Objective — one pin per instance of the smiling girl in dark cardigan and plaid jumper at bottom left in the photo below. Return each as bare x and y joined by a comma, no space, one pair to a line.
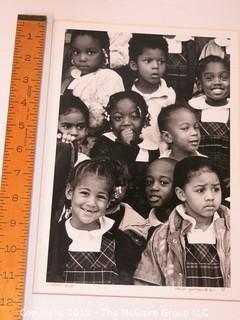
88,247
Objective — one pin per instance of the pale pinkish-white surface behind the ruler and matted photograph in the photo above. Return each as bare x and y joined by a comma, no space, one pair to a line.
210,14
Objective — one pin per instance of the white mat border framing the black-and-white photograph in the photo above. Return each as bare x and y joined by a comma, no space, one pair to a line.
41,255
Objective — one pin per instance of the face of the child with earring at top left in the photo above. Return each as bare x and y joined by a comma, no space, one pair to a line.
87,54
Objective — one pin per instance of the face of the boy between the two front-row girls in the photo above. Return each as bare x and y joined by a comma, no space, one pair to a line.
159,183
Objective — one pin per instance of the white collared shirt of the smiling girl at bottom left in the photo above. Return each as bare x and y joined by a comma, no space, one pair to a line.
83,240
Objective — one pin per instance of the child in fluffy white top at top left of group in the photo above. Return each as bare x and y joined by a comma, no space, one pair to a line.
88,78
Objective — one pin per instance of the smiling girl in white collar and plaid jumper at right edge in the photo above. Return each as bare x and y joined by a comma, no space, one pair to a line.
213,106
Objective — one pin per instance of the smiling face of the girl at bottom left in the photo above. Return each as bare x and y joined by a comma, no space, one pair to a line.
89,201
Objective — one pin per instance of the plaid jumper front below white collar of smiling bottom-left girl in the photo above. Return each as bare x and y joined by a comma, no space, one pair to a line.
92,267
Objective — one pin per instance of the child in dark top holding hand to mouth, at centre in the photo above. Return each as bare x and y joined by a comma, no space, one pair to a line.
127,114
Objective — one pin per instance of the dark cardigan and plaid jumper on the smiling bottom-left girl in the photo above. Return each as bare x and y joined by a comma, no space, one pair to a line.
114,264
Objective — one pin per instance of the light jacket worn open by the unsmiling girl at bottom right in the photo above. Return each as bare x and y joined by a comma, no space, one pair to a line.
163,262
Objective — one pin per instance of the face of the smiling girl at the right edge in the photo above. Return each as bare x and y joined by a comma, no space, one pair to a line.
215,82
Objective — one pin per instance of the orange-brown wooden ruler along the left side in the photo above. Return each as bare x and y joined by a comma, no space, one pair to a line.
18,162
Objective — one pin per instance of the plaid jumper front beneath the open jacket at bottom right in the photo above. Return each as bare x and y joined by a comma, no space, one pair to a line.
203,266
